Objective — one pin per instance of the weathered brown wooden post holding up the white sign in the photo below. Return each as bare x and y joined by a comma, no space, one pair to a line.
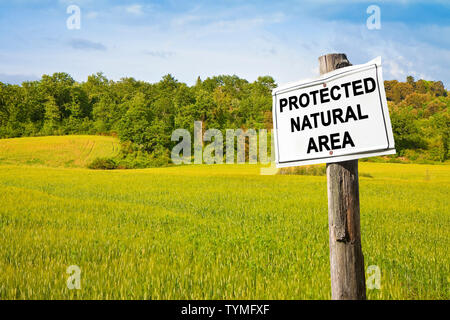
346,257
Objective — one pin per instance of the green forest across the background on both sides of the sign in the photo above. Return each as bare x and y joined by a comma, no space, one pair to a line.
144,115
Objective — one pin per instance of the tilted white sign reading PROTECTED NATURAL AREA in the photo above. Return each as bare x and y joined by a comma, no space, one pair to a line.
342,115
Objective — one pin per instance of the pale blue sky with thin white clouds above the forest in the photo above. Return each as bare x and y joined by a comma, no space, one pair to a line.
148,39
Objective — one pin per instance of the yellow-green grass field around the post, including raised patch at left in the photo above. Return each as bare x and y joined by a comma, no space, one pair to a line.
207,232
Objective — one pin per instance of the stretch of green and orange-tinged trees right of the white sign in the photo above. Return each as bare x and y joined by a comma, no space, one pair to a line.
420,119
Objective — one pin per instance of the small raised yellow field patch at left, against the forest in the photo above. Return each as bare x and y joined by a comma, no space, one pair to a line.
57,151
